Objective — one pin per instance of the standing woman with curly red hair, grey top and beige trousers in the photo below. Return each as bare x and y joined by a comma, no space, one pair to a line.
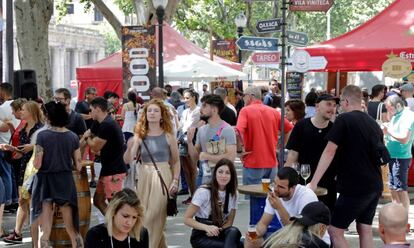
155,130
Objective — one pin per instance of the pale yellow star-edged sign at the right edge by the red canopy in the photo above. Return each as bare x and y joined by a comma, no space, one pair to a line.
396,67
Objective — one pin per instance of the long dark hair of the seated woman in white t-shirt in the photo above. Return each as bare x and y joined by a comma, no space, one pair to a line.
231,187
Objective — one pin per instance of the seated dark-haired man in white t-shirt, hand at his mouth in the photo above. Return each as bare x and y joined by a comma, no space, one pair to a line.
287,199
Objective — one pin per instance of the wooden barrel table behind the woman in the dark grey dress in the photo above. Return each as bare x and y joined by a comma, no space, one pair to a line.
59,236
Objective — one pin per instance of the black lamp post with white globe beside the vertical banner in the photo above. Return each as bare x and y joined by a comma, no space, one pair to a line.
160,5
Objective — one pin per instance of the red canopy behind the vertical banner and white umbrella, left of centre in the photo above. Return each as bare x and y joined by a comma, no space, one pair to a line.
106,74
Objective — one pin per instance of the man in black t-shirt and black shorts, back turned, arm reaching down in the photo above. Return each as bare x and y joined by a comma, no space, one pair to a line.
359,180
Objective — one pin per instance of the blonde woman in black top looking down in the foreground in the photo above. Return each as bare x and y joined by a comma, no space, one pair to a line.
123,224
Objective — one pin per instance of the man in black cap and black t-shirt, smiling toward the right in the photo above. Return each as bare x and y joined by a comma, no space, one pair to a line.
308,140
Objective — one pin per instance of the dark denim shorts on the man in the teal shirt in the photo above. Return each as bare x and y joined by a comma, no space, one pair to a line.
399,173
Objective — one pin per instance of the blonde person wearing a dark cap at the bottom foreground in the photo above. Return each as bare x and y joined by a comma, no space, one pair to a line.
305,230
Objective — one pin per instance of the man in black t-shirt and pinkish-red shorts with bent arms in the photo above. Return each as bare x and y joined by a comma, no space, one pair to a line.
109,141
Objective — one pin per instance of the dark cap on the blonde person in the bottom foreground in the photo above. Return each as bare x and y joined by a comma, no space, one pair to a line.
313,213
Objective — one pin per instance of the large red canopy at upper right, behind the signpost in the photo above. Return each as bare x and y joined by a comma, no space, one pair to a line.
366,47
